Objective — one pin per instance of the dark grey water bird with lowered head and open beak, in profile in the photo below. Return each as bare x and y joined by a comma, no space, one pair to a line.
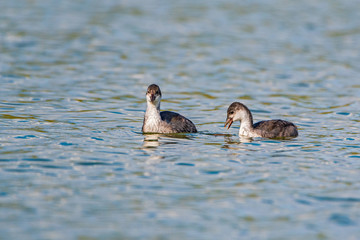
269,129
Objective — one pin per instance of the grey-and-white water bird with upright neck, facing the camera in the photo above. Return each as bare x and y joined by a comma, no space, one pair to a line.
166,121
